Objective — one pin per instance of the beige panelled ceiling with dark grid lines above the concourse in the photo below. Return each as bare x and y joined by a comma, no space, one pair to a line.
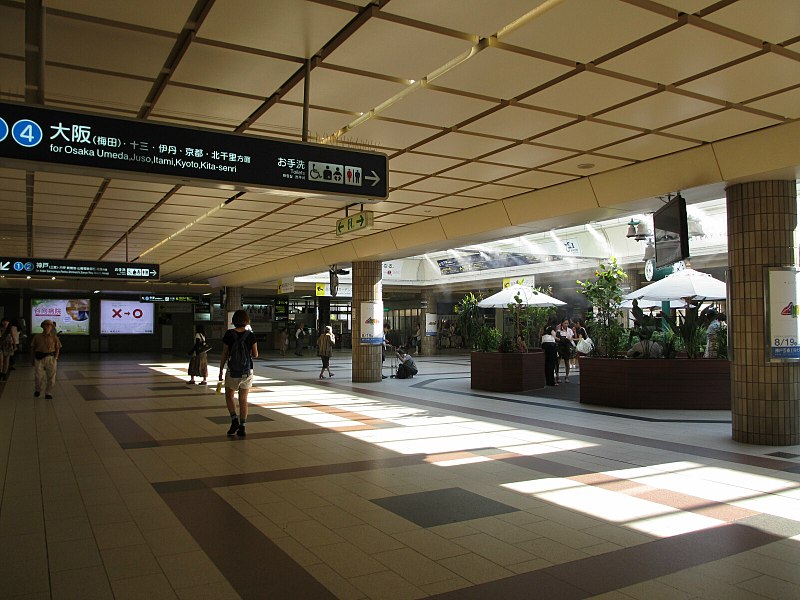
576,111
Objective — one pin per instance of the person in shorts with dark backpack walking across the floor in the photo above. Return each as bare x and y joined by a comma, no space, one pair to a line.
239,348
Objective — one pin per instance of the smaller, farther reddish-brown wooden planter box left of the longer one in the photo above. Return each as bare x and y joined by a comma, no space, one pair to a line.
507,371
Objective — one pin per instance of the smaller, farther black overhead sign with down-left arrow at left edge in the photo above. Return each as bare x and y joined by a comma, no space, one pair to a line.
61,267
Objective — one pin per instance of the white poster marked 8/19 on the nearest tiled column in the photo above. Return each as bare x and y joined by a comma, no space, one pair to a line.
781,315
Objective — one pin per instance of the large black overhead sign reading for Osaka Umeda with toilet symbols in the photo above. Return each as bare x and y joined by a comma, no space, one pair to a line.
57,140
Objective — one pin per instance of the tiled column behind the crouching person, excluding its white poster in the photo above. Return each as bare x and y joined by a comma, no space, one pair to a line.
366,287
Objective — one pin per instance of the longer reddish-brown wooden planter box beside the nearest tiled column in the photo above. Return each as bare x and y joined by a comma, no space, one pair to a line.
678,383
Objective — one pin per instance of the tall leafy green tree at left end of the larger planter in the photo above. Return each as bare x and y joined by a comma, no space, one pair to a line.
606,294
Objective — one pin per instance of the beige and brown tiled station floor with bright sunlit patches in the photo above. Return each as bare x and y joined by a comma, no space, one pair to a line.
126,486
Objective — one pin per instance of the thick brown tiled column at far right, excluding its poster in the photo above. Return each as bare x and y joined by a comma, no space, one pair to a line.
765,403
